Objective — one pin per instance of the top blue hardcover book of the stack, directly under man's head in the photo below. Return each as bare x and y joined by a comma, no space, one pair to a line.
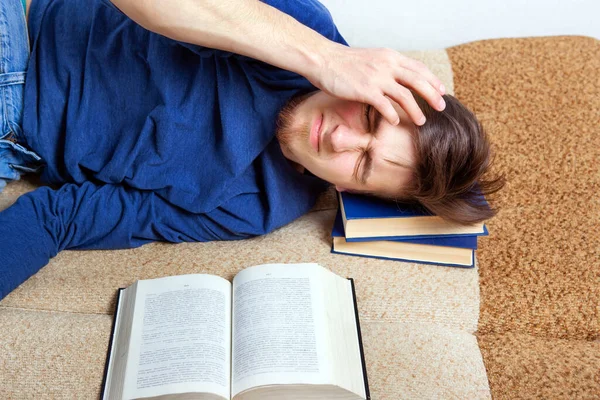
377,219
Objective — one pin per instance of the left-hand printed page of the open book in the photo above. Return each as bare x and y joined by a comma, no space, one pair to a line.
181,337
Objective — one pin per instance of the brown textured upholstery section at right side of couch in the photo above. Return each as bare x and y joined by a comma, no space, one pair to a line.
539,99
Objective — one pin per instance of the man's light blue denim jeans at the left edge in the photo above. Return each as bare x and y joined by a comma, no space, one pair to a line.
15,158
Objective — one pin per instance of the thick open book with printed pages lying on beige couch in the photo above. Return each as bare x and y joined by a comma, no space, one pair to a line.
280,331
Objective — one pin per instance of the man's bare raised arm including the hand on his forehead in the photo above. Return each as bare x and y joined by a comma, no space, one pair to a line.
257,30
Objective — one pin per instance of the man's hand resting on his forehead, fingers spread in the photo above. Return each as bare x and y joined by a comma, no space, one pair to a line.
368,75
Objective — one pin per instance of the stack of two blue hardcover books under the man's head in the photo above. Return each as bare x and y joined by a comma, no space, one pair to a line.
370,227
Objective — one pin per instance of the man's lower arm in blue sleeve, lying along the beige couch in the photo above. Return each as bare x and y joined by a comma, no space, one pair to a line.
45,221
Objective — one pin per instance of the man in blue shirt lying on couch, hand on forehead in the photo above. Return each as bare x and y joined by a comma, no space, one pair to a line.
156,121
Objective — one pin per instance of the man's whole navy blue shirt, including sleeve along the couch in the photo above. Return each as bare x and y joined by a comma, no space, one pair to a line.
148,138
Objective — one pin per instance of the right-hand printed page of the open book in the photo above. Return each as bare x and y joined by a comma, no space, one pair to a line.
278,327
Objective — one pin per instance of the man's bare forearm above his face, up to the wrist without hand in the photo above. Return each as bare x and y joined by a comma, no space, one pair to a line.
246,27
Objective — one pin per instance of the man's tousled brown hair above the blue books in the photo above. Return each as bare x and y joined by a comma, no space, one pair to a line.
452,154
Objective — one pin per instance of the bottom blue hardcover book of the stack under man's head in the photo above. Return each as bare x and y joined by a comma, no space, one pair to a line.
413,250
